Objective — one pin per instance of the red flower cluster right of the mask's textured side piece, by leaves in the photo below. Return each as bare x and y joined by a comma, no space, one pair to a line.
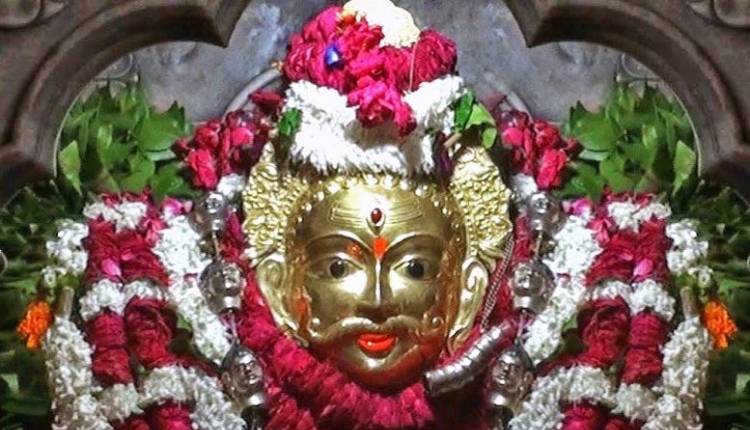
538,149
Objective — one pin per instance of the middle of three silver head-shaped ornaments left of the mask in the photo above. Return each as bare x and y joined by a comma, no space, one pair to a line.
222,283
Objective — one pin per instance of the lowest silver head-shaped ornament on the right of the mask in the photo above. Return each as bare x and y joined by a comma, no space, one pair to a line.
511,376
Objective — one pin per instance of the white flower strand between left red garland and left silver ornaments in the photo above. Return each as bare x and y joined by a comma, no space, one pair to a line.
178,248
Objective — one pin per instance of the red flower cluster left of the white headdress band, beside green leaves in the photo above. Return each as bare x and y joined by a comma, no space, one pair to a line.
231,145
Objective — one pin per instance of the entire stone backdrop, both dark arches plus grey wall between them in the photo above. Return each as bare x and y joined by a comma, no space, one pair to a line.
50,49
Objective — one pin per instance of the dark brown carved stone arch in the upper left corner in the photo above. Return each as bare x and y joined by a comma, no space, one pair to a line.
99,33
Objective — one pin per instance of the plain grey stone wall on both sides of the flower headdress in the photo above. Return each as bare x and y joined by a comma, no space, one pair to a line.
493,57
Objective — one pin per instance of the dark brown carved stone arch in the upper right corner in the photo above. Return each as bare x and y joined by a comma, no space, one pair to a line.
691,53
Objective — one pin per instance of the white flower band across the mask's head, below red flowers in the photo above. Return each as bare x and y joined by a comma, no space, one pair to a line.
332,140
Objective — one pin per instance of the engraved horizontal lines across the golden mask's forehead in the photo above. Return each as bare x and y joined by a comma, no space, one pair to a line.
398,212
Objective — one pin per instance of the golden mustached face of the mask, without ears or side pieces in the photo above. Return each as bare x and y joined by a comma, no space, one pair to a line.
376,276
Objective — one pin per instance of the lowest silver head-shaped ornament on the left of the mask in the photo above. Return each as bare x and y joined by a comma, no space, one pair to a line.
242,377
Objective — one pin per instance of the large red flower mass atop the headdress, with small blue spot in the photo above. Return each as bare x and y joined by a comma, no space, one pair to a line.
341,52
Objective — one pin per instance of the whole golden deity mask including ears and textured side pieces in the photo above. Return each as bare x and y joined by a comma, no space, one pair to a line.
377,273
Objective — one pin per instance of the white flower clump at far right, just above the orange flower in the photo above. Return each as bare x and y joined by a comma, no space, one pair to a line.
687,251
